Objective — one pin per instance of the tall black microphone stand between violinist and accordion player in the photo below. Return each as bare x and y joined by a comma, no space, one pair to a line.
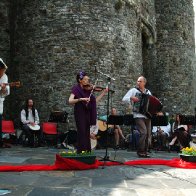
106,157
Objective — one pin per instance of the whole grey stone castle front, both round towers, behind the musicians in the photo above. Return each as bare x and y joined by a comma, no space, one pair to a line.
50,41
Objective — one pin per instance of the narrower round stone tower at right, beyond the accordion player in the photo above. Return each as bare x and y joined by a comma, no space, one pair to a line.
175,52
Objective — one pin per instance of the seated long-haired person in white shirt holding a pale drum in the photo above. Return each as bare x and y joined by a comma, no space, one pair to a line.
30,122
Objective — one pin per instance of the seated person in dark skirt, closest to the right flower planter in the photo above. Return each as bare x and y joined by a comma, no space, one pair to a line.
180,133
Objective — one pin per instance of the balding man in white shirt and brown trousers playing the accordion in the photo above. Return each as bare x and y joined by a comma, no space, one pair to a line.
142,122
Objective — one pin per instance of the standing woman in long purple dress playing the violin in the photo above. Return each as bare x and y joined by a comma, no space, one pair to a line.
84,111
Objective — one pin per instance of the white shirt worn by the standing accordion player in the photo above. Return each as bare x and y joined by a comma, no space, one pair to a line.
134,92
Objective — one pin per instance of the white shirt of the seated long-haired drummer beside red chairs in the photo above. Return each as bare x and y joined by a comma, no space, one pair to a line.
30,117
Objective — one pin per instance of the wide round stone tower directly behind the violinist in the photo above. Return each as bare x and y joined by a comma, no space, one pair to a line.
56,39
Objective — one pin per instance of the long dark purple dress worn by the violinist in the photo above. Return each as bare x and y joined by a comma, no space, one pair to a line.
85,115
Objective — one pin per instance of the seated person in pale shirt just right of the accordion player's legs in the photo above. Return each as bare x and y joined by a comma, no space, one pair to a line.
162,133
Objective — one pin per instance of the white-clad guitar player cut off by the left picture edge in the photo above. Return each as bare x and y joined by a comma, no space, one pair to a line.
4,91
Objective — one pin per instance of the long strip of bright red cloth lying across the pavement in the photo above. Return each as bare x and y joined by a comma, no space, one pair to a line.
70,164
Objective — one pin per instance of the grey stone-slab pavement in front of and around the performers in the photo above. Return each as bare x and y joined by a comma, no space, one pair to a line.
111,181
